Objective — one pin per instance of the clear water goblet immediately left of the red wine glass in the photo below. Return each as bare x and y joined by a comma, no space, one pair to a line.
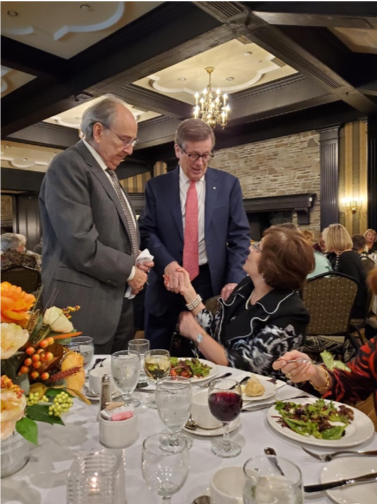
173,399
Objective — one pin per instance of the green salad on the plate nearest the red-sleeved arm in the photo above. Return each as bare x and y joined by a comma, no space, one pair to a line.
322,419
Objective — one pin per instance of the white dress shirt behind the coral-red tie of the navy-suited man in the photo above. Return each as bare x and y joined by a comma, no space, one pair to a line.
184,184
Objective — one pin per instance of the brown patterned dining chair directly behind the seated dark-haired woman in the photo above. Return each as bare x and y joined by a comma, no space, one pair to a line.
329,299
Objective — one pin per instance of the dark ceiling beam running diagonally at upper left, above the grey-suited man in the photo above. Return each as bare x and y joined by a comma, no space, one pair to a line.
154,41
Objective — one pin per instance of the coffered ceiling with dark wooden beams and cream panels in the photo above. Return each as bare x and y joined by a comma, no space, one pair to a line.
286,67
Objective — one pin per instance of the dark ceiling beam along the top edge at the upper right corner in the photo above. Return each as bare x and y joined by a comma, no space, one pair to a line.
327,14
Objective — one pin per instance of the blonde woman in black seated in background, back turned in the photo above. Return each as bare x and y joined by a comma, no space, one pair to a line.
344,260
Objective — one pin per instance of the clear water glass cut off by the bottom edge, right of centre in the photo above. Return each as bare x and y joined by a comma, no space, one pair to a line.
265,483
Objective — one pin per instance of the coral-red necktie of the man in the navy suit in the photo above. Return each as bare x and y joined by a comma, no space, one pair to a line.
191,242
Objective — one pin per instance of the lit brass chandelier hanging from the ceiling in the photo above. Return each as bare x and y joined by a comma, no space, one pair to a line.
211,108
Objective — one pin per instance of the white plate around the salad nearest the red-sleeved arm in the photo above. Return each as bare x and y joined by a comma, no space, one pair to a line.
359,430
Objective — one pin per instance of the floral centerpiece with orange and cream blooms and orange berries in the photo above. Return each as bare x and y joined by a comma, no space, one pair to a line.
38,376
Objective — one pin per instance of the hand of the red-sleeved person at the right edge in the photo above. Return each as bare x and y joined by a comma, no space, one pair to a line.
298,371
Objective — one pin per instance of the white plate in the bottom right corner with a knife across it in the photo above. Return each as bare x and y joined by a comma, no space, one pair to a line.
347,467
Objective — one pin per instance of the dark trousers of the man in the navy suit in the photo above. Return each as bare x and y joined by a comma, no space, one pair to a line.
159,329
